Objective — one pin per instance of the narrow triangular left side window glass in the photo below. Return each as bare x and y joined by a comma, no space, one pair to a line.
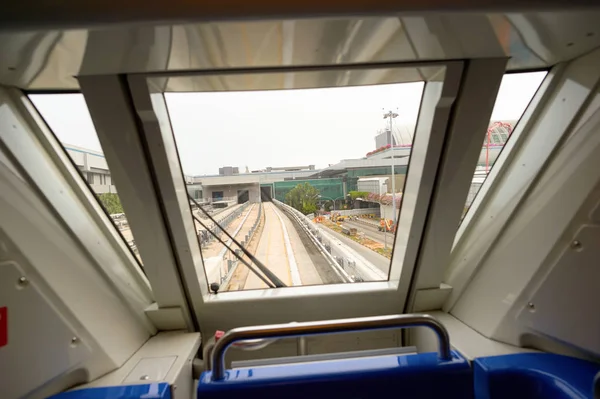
75,131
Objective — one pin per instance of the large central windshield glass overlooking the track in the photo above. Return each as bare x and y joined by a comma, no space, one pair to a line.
301,178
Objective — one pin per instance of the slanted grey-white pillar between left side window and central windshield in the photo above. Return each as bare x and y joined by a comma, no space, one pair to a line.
111,108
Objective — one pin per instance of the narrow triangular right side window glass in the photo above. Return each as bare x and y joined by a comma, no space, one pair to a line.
516,91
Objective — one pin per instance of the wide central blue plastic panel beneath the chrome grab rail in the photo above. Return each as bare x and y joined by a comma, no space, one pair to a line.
407,376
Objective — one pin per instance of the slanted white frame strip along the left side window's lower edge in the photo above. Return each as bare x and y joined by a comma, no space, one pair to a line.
47,167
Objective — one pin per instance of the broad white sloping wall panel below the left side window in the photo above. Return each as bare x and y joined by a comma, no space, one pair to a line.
70,282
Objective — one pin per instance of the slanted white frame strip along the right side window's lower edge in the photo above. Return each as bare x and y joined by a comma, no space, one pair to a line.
485,219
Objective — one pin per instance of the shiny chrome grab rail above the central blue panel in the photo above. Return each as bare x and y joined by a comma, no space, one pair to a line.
326,327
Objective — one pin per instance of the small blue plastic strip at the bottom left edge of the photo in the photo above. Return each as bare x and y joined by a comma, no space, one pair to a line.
158,390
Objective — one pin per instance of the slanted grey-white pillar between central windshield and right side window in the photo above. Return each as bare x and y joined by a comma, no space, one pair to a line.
470,118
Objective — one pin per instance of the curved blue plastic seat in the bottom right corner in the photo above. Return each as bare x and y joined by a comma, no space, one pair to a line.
533,375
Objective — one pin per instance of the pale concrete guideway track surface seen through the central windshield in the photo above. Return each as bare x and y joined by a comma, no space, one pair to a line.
272,251
